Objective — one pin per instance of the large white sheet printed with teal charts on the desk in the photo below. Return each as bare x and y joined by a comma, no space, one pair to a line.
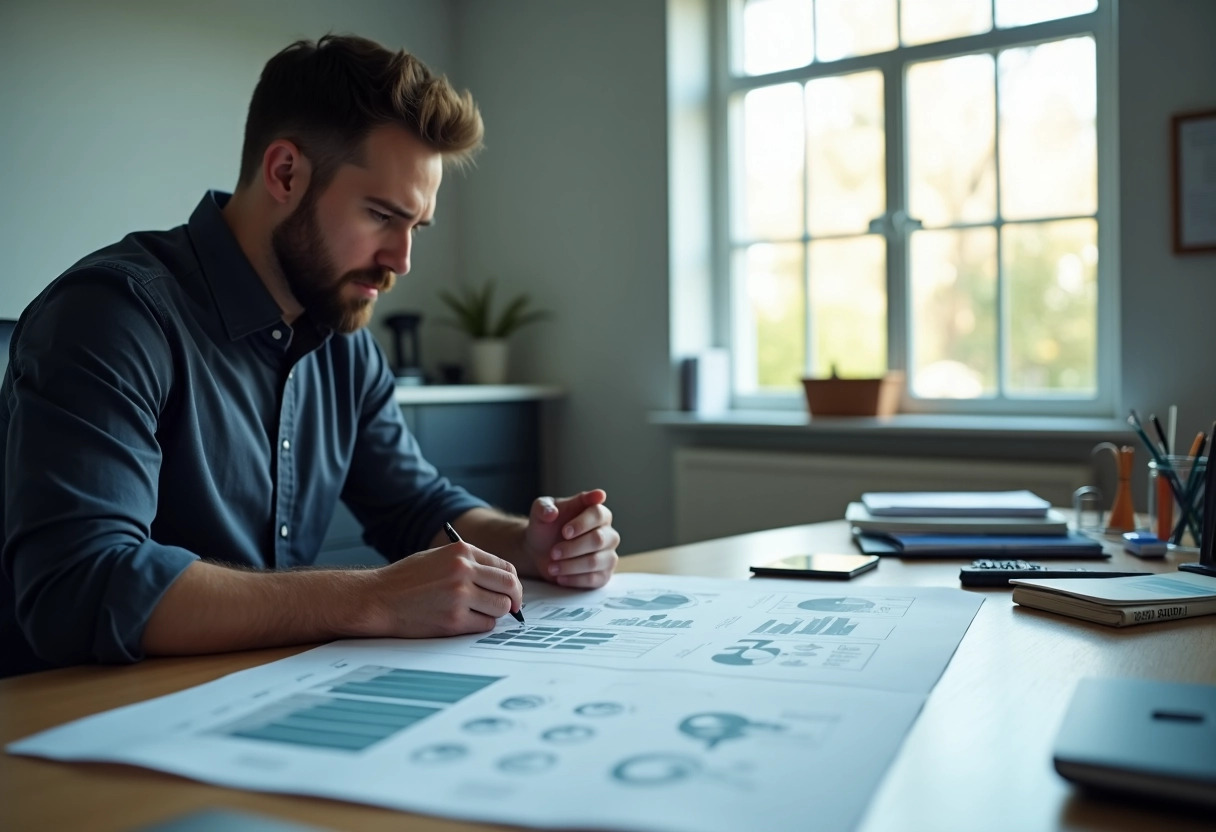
658,704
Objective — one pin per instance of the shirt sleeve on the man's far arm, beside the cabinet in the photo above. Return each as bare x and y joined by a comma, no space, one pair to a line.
401,499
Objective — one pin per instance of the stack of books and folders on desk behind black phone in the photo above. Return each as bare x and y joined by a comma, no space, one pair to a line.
1012,525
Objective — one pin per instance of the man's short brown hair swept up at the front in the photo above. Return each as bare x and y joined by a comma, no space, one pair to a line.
326,97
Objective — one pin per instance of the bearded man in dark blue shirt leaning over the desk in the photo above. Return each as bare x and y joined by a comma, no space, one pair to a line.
184,409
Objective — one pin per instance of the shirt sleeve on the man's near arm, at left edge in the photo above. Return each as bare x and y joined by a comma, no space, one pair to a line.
91,376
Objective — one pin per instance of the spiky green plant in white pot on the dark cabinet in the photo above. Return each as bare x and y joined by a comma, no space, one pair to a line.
472,310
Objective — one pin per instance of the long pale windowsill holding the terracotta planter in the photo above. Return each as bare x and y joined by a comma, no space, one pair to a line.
796,423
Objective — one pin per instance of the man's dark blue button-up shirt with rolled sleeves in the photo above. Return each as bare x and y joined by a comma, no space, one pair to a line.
156,411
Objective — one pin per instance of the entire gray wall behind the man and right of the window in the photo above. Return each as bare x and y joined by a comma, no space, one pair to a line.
121,117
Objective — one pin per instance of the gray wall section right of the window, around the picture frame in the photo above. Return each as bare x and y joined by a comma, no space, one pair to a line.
1167,66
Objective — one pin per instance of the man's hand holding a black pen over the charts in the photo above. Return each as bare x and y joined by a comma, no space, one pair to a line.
451,591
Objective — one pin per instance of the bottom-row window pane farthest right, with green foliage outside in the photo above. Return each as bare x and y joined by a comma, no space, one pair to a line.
1052,276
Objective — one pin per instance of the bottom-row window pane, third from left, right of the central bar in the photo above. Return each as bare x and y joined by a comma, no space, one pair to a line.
954,314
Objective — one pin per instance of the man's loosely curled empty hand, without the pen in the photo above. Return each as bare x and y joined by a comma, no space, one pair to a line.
572,542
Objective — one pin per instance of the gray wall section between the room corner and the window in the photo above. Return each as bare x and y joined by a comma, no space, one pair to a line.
570,200
